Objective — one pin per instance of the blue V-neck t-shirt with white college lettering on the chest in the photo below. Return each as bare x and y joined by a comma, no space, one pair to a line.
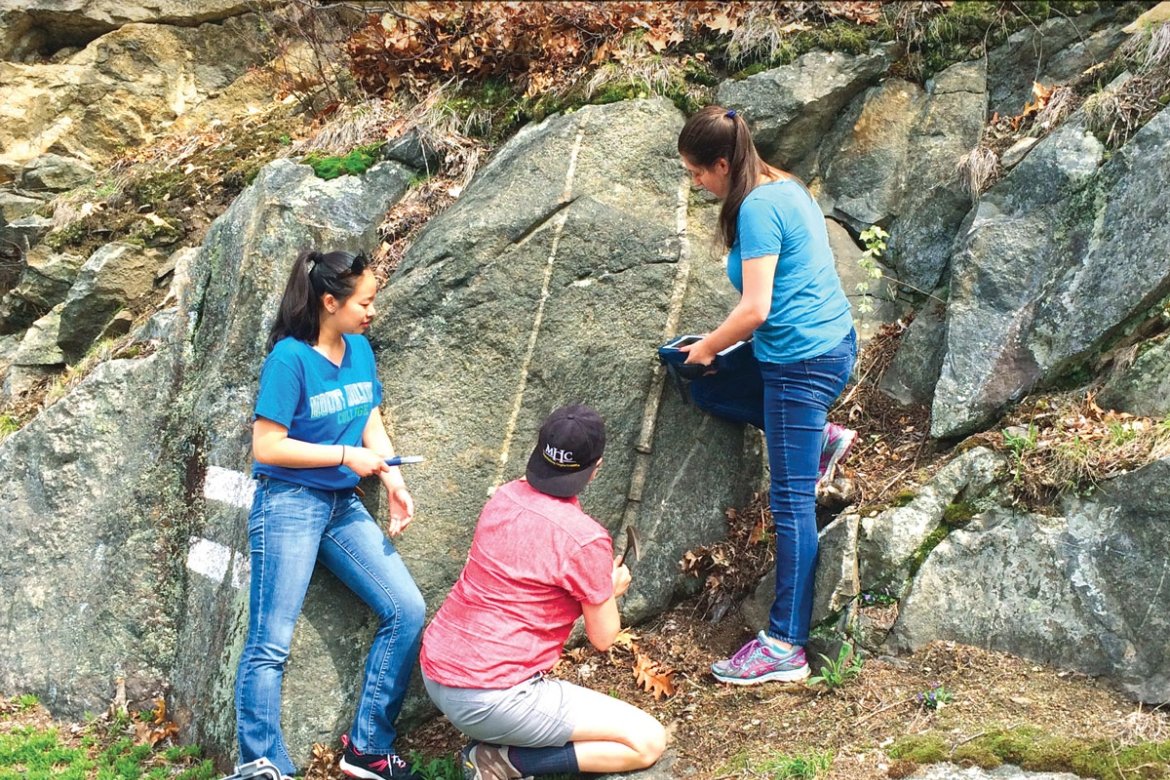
319,403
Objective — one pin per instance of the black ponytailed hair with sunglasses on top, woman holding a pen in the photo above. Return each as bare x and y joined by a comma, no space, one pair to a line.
314,274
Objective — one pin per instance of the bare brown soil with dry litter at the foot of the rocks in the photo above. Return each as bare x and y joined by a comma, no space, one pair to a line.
724,731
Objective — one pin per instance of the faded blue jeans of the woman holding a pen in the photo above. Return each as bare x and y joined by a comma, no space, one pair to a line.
291,529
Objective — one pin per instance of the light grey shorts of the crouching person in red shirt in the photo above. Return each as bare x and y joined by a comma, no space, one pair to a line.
539,713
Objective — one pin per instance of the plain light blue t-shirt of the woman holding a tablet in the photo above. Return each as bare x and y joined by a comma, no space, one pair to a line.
810,314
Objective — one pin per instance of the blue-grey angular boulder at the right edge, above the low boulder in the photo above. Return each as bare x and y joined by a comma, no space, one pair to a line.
1042,244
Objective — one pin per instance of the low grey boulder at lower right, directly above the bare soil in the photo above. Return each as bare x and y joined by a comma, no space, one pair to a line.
1085,590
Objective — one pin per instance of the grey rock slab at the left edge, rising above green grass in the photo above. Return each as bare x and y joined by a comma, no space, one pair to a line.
92,593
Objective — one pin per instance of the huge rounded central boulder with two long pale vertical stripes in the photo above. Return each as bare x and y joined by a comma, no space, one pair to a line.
552,281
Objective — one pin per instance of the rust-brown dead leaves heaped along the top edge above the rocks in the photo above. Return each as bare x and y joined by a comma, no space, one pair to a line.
541,47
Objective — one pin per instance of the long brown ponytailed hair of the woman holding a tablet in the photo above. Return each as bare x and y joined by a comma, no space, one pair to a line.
715,133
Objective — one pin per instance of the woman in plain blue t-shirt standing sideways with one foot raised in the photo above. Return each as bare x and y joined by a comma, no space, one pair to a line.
793,306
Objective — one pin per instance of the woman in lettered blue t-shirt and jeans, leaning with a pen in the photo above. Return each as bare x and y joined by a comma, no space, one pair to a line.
318,431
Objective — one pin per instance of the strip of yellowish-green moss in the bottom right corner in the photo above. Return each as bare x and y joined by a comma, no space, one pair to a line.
1040,751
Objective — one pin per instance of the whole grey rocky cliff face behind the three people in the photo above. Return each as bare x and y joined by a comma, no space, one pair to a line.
574,252
